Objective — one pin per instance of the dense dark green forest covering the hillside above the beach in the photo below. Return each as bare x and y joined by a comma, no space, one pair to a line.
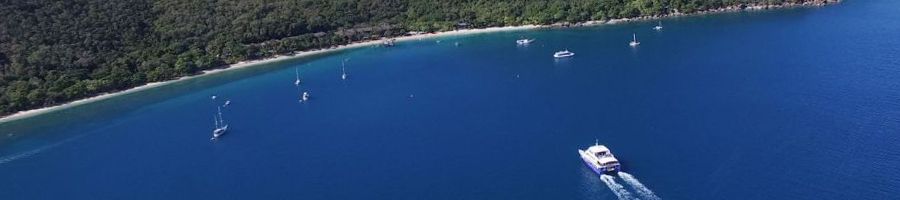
54,51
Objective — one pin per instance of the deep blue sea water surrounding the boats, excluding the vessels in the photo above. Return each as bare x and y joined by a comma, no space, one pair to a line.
788,104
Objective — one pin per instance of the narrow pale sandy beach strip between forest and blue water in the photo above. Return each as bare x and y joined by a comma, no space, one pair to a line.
359,44
